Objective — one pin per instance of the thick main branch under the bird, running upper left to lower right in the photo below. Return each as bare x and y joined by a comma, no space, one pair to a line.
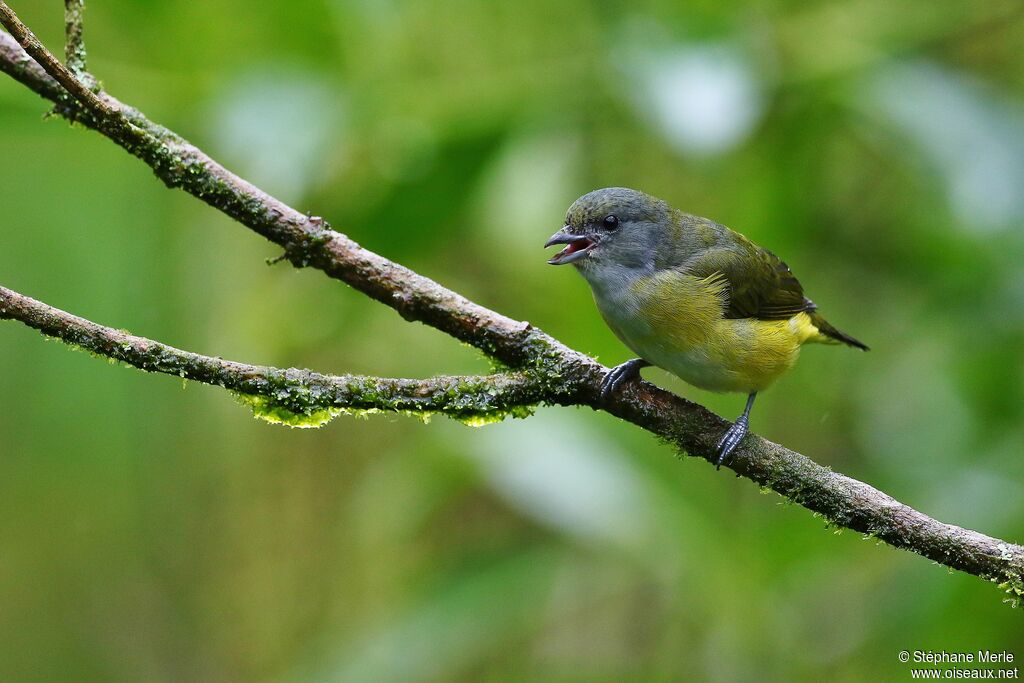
568,376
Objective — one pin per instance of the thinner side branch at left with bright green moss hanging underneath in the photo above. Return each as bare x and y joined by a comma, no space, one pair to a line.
298,398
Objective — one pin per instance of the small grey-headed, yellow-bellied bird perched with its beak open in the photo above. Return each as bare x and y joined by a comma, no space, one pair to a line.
690,296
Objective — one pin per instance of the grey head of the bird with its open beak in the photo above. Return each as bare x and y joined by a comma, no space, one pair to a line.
612,227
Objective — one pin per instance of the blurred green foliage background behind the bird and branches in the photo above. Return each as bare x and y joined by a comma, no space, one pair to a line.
150,533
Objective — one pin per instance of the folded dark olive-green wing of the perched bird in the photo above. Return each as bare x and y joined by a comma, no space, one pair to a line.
760,284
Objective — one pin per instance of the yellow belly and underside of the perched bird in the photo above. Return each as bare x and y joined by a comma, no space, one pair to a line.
676,323
